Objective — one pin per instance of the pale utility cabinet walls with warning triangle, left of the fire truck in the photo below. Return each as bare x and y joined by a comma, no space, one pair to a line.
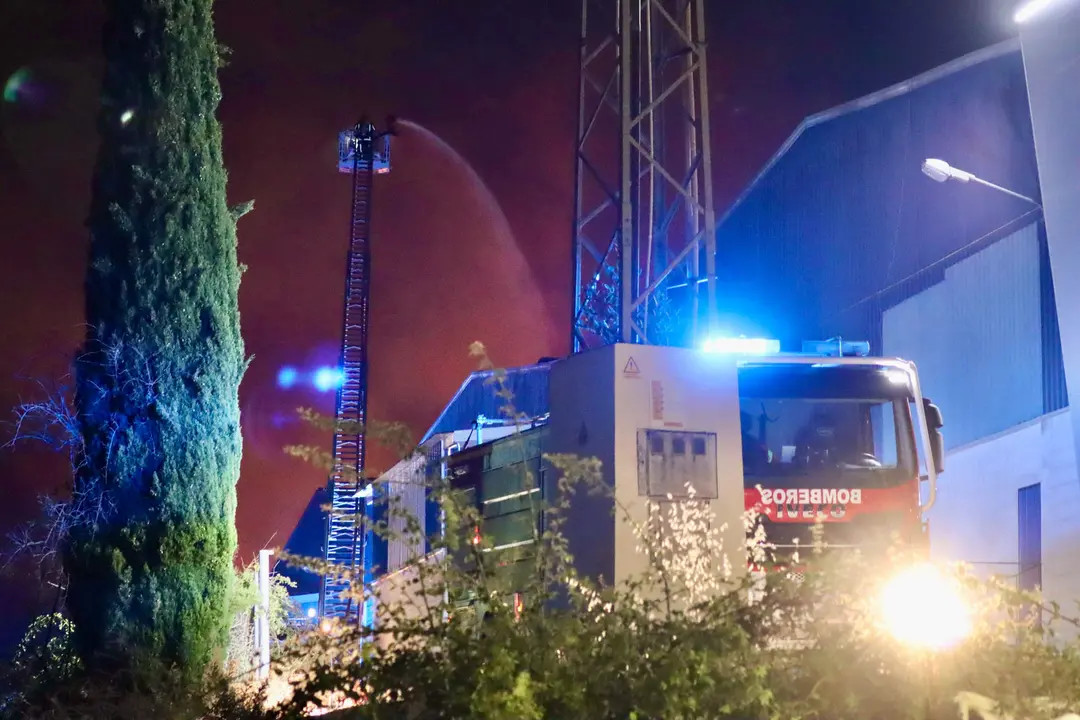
601,400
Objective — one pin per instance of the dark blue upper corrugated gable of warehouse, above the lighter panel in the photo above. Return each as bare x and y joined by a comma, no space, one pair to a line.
845,214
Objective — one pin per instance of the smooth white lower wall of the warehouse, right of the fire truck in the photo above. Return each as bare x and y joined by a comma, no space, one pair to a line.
975,520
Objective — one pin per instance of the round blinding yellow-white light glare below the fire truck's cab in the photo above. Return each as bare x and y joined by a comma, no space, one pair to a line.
923,608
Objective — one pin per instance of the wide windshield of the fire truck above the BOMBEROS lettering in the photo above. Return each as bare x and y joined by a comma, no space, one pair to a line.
841,425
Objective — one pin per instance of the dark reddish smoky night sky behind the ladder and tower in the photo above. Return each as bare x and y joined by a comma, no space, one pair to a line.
471,234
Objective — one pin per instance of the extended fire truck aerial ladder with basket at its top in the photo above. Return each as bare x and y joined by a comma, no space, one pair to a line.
363,153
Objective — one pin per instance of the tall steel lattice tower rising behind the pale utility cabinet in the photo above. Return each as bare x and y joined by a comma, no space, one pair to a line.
644,218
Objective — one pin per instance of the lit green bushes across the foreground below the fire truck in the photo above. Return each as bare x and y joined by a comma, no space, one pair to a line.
692,636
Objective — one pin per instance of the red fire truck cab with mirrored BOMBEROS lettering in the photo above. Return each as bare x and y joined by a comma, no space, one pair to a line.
836,438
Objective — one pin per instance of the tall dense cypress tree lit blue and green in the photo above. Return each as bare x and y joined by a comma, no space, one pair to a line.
151,558
